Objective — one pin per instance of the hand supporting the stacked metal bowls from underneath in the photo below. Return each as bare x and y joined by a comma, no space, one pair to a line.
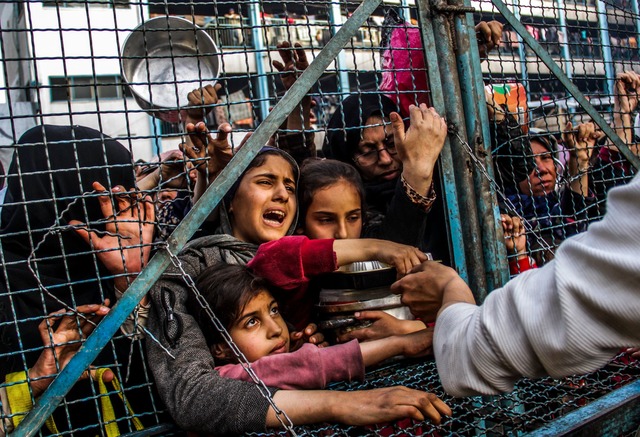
384,325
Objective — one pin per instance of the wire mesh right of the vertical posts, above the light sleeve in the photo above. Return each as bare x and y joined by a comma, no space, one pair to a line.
596,44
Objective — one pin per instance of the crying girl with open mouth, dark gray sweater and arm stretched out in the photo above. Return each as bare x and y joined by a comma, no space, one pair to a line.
260,207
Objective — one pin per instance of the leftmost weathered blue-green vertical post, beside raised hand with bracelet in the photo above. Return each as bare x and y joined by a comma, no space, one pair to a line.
457,248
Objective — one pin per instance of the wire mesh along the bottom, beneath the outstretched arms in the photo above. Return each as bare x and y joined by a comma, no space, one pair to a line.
531,405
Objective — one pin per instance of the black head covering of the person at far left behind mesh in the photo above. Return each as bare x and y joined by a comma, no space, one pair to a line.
51,169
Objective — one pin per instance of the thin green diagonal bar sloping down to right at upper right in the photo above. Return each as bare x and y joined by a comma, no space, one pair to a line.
566,82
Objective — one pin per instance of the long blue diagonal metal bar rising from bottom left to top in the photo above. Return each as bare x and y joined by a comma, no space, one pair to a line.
48,402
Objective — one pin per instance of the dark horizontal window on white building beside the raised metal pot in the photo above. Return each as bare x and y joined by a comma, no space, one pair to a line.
84,88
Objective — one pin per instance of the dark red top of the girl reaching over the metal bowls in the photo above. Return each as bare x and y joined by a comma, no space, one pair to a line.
290,263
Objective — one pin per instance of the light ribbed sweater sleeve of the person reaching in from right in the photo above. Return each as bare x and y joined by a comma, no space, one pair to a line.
569,317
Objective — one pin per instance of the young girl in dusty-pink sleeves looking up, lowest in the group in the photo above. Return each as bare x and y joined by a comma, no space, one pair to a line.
247,307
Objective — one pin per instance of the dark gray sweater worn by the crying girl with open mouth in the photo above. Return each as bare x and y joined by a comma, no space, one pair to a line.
197,397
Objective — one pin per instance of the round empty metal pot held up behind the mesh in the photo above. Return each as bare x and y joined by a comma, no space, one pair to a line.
164,59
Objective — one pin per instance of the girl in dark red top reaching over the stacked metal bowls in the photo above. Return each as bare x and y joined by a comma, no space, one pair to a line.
331,202
